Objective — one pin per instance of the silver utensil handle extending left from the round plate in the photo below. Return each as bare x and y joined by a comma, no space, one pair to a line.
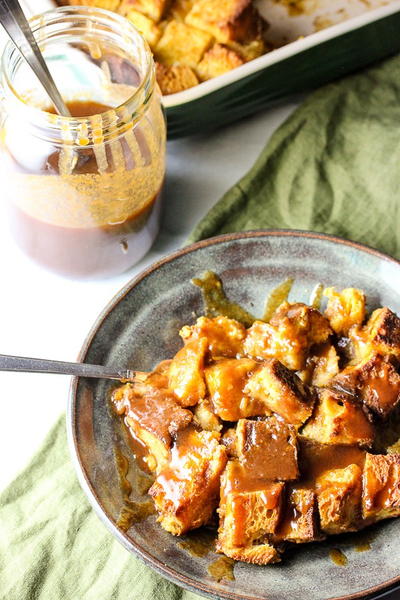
39,365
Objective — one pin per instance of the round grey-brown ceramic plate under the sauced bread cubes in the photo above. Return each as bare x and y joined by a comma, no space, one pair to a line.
140,327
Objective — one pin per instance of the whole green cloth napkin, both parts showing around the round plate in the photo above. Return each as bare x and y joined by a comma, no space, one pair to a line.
333,166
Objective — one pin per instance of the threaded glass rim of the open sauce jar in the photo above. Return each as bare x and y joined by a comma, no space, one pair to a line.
139,98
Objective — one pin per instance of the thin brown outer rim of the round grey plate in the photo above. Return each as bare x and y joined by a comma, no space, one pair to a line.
132,546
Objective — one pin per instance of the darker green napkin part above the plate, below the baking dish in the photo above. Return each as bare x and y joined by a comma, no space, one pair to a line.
332,167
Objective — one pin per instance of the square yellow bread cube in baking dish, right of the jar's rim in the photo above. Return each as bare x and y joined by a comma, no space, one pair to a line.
182,44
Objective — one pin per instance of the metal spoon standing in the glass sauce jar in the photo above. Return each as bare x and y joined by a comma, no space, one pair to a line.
17,27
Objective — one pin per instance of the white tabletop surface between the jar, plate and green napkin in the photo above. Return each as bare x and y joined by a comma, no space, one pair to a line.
47,316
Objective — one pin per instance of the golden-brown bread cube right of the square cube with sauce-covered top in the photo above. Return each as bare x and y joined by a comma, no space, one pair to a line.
338,420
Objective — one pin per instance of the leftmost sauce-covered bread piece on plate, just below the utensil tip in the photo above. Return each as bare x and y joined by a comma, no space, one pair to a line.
153,417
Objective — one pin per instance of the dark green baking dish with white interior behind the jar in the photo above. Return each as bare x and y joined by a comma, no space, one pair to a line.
296,67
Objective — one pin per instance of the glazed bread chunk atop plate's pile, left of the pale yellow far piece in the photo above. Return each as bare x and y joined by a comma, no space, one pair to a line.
293,329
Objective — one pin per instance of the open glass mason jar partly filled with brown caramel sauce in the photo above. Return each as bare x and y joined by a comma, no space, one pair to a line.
83,193
